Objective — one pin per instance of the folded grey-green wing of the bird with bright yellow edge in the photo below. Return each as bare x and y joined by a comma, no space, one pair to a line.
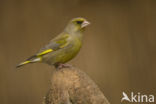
57,43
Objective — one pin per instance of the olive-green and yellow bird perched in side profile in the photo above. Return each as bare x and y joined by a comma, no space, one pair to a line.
62,48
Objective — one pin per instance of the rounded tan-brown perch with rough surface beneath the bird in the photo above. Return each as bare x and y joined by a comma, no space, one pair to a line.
72,86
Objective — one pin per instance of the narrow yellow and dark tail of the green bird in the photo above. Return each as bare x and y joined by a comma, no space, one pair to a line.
32,59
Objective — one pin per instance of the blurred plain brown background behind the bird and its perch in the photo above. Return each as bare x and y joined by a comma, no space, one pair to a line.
119,51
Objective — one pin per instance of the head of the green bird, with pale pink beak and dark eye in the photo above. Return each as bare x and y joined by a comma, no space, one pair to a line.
77,24
